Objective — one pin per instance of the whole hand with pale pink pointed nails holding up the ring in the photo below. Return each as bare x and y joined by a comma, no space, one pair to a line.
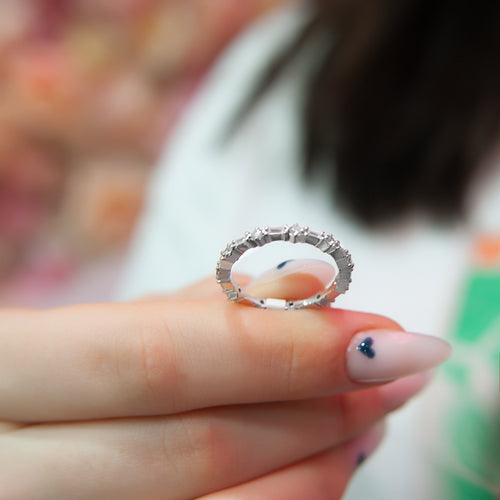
192,396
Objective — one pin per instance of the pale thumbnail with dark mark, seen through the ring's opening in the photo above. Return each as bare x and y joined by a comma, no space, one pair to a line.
320,269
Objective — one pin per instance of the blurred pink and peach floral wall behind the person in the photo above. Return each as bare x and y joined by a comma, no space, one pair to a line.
89,91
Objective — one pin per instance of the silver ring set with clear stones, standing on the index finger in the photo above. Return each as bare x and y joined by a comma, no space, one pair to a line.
293,234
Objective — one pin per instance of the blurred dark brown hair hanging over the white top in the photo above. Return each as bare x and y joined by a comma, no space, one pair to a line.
404,104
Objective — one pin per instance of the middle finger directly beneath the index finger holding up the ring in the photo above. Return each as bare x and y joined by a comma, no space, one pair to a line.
187,455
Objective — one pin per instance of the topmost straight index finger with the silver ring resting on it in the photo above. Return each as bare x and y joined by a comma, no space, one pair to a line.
150,358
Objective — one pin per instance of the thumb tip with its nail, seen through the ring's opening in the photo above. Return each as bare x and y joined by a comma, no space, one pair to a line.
293,280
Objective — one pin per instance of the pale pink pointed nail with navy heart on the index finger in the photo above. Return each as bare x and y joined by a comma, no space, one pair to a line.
382,355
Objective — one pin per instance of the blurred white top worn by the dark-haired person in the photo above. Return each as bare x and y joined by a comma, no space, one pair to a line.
206,193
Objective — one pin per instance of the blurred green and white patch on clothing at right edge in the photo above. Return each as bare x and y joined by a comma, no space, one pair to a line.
470,424
